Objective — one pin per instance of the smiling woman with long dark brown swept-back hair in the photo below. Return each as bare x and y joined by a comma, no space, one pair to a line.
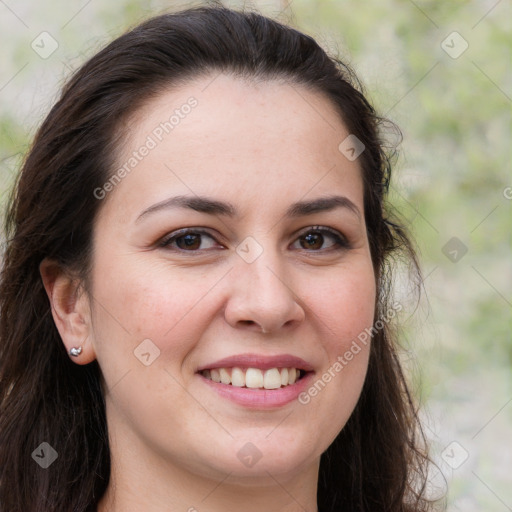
194,299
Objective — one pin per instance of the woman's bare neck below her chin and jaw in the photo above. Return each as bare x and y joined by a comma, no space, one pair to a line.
141,479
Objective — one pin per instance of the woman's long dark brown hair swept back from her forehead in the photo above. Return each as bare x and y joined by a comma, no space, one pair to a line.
375,463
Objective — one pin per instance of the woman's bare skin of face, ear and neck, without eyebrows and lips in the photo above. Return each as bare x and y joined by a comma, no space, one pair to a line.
174,442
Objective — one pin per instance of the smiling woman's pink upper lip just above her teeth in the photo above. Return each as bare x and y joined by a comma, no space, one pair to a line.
259,361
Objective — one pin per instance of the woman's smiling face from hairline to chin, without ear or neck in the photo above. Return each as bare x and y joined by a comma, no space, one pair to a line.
236,239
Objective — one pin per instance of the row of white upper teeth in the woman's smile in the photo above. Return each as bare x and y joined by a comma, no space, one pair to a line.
253,377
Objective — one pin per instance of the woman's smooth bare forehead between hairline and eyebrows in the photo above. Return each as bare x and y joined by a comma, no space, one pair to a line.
222,134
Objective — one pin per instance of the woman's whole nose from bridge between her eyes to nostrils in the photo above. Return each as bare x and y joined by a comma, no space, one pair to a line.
260,293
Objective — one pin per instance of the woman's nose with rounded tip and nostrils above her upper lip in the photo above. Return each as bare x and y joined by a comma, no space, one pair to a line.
261,297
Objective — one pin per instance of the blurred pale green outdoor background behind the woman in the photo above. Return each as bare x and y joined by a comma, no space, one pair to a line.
442,72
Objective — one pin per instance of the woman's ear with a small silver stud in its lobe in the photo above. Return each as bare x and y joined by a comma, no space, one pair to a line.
70,309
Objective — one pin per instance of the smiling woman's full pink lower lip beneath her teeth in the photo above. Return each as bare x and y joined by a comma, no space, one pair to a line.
260,398
